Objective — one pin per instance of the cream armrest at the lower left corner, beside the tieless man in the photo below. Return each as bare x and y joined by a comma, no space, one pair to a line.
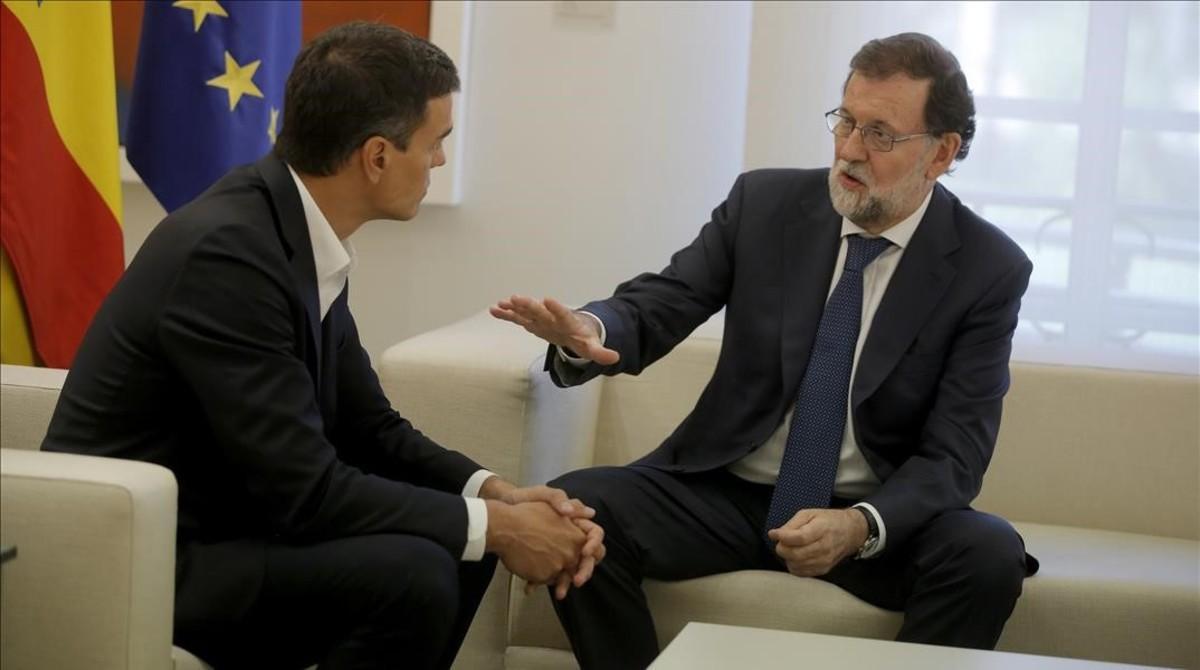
94,581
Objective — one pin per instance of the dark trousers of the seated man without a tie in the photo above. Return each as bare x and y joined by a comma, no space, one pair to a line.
369,602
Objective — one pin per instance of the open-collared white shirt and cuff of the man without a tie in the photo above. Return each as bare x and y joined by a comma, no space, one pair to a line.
334,260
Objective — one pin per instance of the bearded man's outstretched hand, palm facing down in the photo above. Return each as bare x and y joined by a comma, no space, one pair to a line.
556,324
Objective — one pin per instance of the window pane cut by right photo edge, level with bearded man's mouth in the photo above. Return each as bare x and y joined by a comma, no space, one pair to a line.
1160,169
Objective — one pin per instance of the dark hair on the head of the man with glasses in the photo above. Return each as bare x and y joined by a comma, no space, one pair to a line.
951,106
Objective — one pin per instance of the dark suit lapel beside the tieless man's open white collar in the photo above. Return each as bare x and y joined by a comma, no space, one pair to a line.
293,229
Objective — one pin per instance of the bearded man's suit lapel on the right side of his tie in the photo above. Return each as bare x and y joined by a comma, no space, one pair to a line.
917,286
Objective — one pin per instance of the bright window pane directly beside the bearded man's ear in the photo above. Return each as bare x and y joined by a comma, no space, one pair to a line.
1021,159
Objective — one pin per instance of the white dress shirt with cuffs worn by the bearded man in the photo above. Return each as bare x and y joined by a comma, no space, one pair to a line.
855,477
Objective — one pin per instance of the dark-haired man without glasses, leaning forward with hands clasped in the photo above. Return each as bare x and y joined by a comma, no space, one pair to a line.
315,524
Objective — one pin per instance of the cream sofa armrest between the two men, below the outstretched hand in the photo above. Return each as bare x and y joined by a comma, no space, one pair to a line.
477,387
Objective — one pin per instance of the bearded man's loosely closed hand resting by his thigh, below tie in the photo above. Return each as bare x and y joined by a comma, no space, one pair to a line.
815,541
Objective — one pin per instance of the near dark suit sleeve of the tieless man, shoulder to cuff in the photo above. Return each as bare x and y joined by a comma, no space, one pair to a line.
229,330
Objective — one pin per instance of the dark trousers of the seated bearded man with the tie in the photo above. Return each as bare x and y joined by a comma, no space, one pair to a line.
957,581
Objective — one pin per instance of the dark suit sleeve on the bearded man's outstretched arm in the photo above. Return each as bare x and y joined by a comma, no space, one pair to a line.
651,314
